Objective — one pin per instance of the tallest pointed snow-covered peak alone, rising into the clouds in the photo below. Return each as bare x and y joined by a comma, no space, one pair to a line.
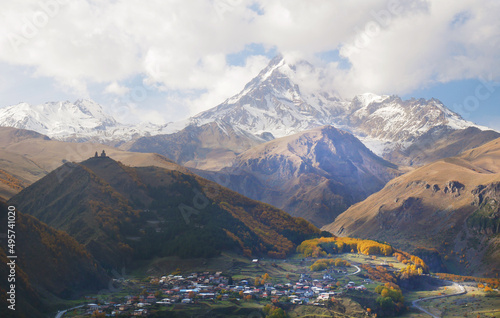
274,103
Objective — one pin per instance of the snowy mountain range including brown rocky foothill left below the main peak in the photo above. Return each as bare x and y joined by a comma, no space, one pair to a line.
278,102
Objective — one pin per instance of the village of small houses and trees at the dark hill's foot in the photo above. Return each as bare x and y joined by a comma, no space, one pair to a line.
179,291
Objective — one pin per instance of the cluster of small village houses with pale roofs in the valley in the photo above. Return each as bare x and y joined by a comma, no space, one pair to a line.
177,289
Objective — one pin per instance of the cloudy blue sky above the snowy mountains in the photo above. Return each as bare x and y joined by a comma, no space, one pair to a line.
163,61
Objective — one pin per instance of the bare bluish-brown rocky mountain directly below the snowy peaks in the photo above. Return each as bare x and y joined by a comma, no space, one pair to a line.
316,174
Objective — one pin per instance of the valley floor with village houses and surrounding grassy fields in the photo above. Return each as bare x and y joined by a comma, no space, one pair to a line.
235,286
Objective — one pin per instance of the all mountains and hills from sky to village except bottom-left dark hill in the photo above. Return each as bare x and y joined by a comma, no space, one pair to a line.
409,172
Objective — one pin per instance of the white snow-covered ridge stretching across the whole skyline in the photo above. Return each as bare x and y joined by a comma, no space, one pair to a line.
283,99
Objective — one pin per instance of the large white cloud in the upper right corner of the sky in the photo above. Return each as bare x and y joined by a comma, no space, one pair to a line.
424,47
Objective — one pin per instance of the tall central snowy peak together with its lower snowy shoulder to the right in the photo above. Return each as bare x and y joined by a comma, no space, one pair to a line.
278,101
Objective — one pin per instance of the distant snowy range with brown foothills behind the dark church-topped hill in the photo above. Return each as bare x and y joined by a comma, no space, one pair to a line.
267,141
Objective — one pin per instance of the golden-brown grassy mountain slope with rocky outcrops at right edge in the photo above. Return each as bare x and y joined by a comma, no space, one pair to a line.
451,205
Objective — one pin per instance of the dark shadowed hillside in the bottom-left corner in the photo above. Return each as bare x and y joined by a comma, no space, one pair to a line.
50,265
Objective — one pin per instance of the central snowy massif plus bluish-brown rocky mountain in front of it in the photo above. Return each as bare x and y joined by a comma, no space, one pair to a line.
228,140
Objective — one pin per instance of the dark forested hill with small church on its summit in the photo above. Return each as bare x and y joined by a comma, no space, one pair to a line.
122,213
